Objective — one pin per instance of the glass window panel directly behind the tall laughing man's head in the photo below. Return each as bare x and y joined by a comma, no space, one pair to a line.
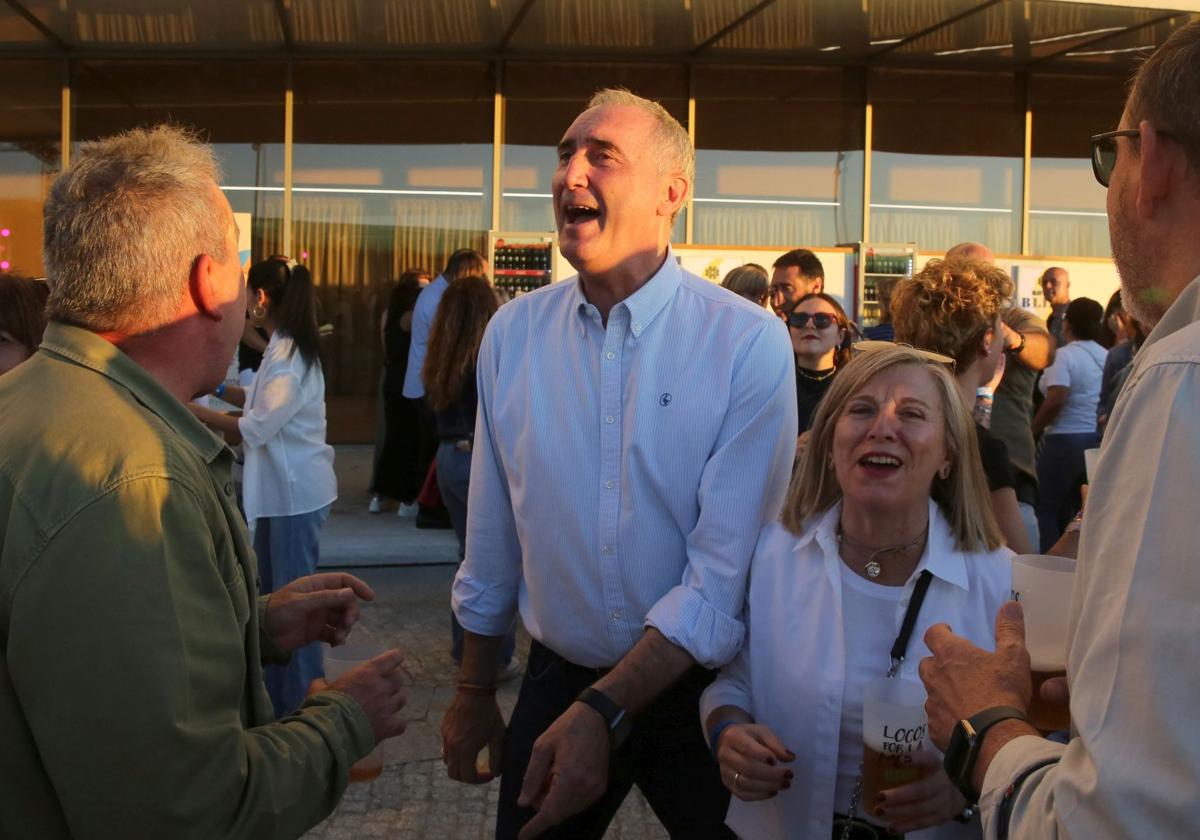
542,101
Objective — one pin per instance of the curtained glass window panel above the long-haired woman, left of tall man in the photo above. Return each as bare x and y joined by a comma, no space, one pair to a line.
392,170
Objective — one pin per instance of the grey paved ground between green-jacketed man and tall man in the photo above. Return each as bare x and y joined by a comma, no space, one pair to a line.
413,799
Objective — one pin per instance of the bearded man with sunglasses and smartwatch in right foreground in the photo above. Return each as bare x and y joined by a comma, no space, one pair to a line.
1132,769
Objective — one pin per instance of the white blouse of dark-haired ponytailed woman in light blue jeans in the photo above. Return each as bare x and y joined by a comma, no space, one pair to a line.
290,467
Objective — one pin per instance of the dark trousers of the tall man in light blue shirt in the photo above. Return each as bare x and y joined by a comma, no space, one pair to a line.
665,757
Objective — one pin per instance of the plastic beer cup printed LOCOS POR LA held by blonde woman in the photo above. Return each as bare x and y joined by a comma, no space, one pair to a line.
895,729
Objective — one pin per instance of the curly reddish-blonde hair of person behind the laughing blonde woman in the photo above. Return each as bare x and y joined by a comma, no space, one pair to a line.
950,307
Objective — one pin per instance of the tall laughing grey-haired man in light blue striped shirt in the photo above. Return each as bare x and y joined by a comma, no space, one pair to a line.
637,428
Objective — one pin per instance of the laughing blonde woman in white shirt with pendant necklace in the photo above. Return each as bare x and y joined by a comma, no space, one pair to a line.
890,488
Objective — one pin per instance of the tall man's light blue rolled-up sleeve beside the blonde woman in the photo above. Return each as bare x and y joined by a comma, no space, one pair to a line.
742,488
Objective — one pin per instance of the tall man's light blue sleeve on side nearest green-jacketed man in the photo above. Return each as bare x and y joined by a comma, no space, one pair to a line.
485,591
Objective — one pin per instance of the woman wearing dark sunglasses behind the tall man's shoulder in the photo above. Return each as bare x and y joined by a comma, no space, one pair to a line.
820,333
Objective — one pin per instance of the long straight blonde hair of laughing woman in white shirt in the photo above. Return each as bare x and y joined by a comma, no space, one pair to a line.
962,496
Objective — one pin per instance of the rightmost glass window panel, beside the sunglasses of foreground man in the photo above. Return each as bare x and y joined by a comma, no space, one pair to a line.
1067,207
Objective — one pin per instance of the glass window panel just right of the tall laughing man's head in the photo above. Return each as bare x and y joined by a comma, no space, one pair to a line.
779,157
